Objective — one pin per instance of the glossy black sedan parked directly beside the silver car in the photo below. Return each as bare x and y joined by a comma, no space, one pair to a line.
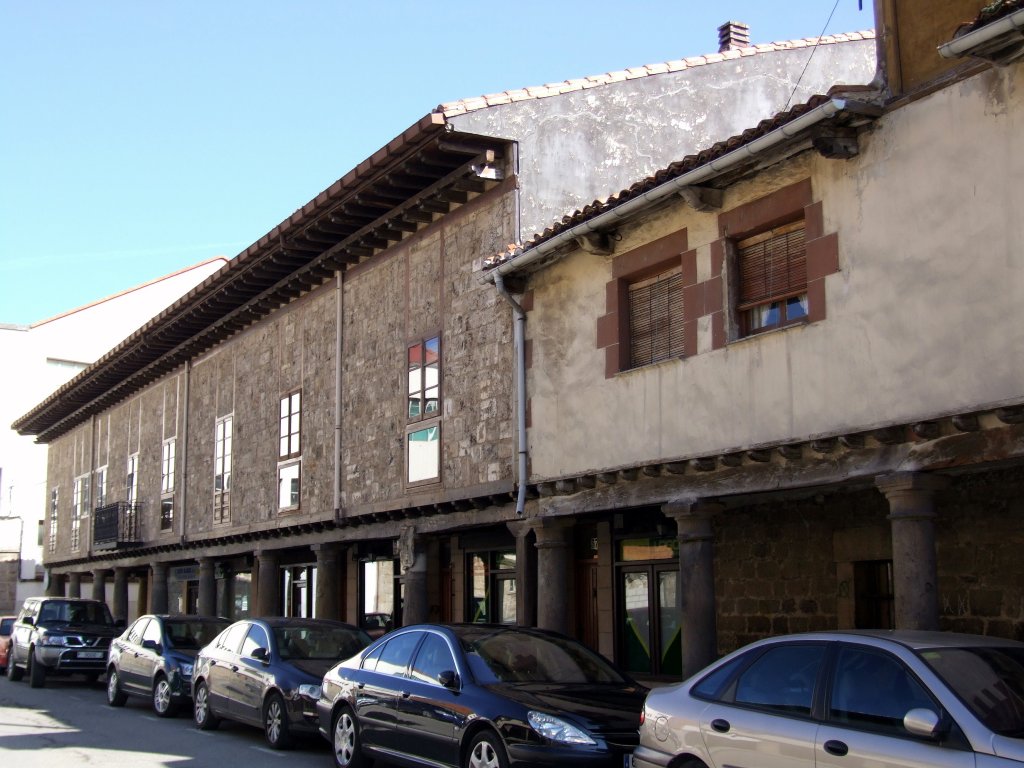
480,697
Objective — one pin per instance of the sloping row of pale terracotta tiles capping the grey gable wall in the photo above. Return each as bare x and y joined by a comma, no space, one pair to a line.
461,107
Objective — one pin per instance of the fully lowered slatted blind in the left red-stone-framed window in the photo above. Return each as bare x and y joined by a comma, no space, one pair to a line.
657,319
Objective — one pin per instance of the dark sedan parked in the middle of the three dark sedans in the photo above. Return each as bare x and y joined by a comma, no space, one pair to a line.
268,672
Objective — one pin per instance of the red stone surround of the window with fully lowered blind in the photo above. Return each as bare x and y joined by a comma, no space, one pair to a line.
660,258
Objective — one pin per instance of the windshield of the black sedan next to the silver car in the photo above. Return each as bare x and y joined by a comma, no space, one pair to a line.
510,657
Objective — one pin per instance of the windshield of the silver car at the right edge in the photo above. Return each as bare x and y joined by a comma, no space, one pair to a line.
990,681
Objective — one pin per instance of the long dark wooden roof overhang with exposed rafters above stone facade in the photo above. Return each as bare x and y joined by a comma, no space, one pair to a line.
418,177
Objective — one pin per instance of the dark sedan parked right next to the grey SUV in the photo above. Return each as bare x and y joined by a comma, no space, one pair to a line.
154,658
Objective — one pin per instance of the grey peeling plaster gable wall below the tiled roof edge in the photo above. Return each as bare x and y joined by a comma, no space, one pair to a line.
586,145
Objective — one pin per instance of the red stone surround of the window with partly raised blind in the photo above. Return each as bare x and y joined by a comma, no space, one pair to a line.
786,206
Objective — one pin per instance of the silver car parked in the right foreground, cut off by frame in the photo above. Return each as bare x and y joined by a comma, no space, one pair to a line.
845,700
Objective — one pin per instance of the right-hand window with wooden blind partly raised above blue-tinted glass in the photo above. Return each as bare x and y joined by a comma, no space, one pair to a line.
773,268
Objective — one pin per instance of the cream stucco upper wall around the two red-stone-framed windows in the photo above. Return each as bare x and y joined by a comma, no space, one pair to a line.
921,317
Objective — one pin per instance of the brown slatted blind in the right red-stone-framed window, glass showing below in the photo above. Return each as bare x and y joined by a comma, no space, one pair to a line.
773,265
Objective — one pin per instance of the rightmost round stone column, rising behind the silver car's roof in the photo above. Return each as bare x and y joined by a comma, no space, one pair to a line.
912,516
